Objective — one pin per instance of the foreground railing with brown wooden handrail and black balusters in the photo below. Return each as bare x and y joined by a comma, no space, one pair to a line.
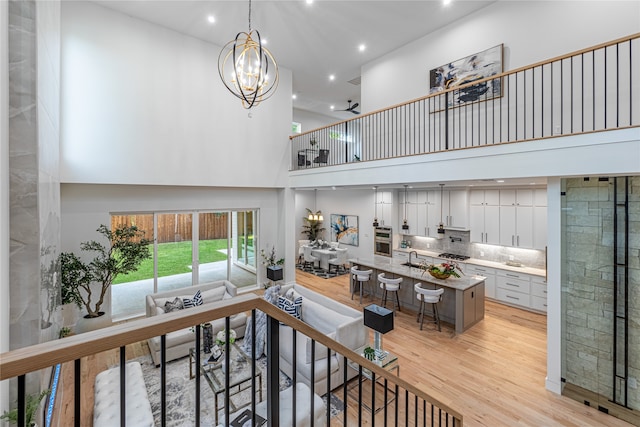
416,403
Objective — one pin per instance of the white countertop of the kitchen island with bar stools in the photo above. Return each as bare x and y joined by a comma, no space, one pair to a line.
394,266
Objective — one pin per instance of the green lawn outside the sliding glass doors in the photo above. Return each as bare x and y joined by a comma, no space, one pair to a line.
175,258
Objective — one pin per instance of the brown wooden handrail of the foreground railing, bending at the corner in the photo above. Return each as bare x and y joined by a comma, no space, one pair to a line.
29,359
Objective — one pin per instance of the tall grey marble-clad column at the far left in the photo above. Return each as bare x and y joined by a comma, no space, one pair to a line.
34,189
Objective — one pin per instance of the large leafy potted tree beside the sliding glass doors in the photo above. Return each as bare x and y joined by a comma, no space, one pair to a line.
125,252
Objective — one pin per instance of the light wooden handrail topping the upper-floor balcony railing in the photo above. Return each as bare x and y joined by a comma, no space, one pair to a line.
476,82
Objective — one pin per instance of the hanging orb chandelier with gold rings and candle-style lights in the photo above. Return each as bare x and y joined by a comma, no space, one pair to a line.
247,68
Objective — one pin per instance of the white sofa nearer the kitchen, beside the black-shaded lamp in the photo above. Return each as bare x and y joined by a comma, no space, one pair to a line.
340,322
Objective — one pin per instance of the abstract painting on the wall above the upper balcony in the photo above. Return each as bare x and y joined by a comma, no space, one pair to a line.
465,70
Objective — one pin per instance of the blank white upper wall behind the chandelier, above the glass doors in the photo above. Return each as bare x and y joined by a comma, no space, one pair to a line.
142,104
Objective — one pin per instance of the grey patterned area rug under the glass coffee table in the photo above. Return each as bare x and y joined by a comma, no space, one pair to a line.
181,391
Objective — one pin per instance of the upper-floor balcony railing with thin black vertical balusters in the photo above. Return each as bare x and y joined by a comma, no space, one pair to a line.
590,90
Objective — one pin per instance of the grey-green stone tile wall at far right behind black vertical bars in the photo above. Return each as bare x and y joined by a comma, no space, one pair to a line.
587,305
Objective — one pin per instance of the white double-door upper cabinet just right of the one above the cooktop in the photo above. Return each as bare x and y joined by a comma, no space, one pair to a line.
484,216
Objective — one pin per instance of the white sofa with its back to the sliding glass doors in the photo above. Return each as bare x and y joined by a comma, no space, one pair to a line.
179,342
